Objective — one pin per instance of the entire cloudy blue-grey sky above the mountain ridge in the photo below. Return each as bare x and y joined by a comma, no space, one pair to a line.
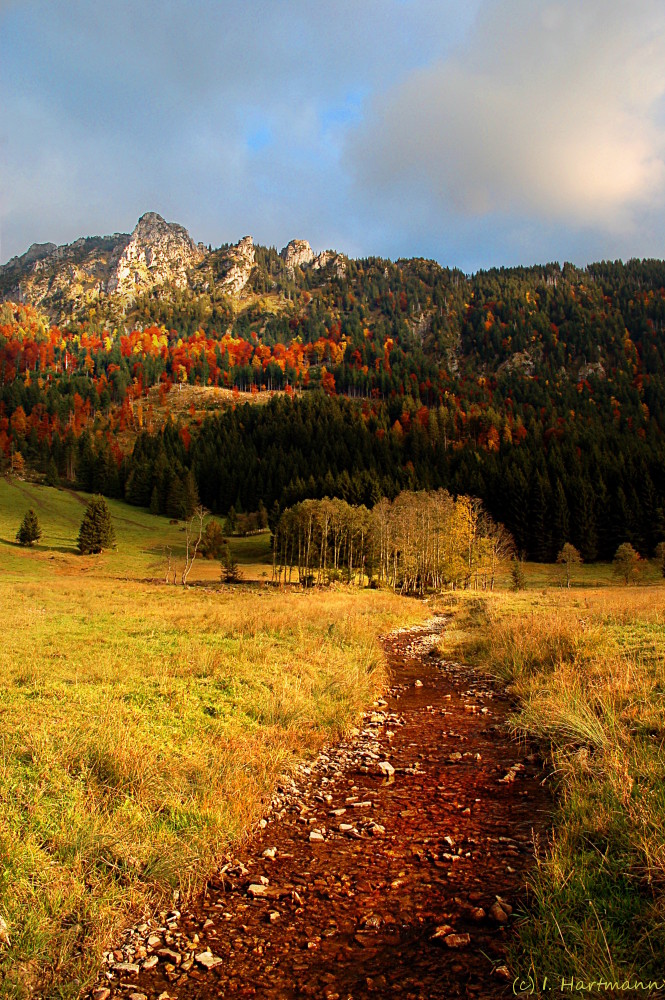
479,133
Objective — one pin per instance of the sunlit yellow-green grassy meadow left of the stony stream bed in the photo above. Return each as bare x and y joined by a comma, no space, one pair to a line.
143,726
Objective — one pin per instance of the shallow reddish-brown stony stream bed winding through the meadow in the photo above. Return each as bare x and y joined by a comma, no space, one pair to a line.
366,885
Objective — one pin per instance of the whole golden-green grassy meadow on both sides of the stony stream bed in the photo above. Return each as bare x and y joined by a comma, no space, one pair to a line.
143,726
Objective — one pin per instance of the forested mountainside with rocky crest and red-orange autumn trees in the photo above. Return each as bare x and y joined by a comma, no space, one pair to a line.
541,390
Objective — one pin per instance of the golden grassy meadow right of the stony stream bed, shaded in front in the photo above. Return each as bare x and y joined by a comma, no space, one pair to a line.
587,667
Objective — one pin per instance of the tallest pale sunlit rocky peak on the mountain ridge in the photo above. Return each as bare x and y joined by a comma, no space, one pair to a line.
157,253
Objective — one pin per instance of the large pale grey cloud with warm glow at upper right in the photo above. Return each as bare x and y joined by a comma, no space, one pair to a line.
550,111
